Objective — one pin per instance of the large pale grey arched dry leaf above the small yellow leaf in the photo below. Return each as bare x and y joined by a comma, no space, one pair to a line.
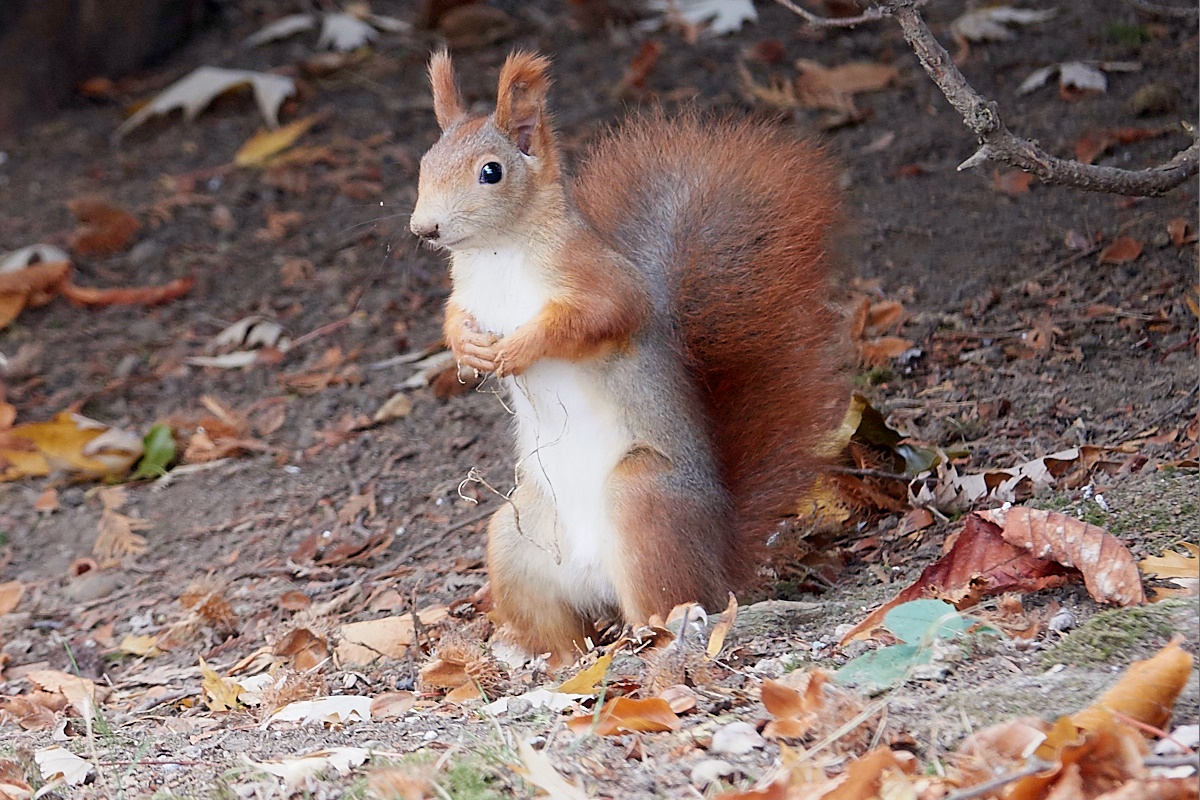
194,93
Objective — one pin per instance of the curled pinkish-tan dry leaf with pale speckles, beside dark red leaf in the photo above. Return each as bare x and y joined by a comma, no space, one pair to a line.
1109,572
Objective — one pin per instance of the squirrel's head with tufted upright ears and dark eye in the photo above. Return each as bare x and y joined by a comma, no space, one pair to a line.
485,175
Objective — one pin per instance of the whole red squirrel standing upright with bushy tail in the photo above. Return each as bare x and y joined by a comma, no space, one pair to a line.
663,333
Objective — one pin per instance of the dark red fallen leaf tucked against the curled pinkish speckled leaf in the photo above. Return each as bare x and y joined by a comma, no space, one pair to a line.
980,563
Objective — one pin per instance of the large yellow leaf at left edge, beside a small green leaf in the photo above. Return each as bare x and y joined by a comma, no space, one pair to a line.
69,443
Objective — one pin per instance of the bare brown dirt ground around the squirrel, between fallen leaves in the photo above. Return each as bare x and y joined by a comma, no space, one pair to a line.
977,270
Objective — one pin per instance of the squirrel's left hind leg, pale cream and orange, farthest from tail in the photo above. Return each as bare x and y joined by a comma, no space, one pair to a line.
526,592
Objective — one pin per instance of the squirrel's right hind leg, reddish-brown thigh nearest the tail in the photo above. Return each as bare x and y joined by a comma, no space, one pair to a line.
674,538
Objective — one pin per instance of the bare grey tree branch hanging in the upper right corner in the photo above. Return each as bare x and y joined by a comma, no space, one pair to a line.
982,116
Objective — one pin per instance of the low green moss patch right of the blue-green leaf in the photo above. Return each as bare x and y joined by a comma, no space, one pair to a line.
1114,636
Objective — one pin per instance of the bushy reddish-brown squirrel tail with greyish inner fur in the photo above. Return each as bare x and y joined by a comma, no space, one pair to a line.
731,222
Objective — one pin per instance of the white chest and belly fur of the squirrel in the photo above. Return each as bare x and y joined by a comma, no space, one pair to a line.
569,436
